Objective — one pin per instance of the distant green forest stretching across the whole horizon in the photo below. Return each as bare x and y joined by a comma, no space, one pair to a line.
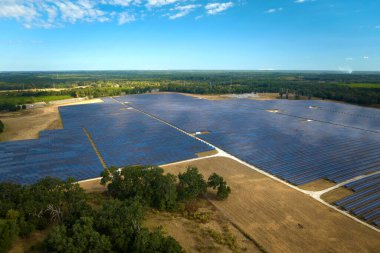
324,85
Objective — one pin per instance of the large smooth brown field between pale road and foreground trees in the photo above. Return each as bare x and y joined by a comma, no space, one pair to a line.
280,218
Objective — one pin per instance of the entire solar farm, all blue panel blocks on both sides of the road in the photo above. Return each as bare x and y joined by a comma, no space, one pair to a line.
296,141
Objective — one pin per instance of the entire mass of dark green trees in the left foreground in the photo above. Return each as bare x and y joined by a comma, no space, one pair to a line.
76,225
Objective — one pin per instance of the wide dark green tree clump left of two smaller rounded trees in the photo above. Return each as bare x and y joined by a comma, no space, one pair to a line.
148,184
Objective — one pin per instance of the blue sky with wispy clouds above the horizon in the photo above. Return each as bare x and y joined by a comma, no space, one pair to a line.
190,34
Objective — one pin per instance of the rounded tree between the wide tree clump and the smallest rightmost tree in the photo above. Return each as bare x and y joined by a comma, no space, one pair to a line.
191,184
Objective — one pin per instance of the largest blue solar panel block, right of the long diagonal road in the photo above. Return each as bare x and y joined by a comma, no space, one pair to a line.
292,148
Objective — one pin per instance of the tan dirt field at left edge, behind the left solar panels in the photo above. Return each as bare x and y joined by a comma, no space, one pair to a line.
26,124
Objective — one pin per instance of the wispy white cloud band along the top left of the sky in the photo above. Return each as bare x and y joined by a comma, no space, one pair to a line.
57,13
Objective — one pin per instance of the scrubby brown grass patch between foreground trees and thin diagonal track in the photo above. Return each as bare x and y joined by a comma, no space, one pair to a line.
206,230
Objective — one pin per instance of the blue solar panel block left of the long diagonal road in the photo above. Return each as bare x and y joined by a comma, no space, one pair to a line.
123,137
